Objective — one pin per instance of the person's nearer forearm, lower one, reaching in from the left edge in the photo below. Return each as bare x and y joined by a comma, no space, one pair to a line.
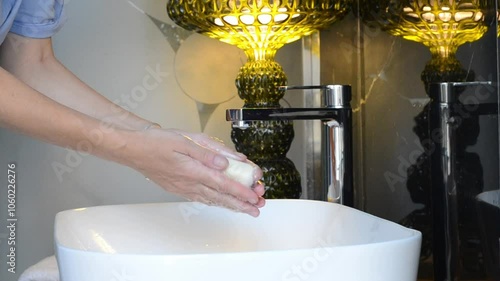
25,110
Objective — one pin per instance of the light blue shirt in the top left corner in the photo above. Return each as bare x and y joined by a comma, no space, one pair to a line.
31,18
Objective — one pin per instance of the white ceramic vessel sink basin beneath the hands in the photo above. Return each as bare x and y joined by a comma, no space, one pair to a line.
291,240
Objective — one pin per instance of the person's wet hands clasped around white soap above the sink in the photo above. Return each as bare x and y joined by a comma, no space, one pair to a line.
192,166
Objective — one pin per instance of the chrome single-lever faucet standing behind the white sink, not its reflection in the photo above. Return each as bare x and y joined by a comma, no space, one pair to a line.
336,115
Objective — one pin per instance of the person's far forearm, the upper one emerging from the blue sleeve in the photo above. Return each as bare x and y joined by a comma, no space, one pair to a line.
32,61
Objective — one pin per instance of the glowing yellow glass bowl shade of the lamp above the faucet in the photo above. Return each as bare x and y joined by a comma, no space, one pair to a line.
256,26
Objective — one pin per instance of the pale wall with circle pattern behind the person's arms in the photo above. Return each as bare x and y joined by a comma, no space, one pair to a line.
111,45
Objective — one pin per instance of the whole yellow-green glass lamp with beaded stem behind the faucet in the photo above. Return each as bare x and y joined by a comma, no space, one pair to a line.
260,28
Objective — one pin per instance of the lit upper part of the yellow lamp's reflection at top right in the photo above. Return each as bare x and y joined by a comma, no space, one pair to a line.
440,25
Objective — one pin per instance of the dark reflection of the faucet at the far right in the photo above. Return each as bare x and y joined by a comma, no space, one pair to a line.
447,117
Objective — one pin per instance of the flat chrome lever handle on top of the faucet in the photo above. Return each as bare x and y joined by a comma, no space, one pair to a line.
334,96
